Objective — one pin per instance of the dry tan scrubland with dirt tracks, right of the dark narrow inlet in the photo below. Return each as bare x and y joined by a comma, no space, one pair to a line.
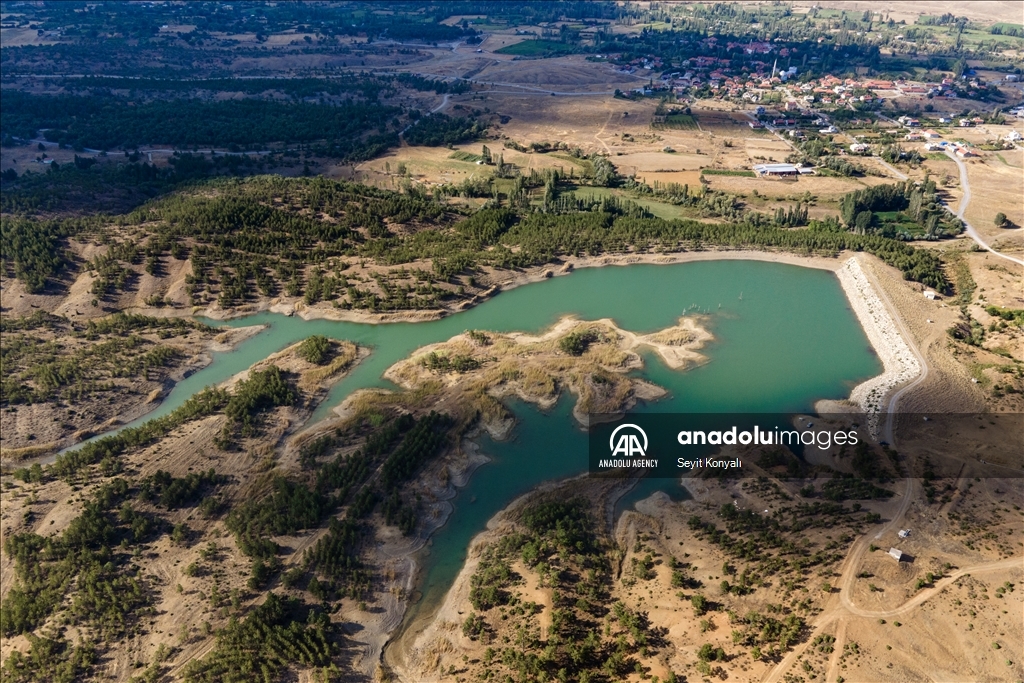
862,616
